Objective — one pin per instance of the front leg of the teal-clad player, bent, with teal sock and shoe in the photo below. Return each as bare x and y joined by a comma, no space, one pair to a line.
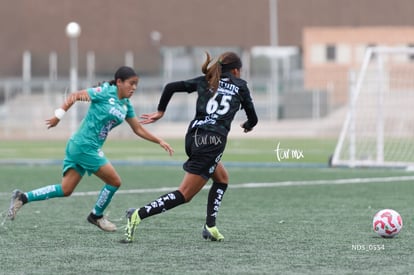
107,174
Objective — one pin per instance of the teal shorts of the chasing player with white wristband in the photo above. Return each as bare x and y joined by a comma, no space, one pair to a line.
83,158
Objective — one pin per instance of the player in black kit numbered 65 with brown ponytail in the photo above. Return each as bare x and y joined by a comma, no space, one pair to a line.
221,93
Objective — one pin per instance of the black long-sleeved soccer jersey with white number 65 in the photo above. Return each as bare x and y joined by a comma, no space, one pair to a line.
215,111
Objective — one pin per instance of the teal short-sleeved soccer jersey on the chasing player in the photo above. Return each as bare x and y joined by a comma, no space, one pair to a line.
105,112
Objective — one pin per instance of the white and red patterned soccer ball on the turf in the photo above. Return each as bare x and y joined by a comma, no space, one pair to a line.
387,223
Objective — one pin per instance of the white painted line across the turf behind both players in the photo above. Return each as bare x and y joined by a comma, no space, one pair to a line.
259,185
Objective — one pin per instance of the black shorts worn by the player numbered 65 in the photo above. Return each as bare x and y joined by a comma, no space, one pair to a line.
204,150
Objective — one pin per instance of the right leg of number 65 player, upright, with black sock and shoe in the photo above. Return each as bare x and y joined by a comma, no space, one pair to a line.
215,196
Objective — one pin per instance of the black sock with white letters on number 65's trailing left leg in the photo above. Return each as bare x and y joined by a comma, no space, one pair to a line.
162,204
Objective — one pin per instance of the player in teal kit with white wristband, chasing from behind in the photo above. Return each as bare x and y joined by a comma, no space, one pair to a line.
109,107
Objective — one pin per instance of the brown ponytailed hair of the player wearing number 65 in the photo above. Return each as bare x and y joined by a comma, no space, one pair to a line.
225,63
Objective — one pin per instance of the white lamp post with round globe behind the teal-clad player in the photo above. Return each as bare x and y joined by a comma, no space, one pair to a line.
73,31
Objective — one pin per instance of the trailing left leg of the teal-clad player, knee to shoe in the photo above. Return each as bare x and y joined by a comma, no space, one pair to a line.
69,182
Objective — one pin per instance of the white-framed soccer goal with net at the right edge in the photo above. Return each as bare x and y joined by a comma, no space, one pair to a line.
379,128
